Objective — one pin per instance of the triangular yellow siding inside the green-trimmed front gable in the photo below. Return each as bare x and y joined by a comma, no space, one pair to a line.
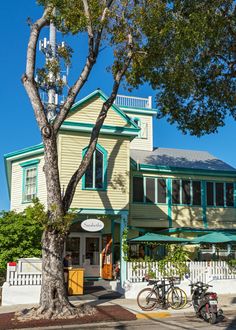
89,111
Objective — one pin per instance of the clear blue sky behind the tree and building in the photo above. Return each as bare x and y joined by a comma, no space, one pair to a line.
19,130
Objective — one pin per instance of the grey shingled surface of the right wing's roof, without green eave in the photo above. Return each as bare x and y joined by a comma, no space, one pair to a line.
180,158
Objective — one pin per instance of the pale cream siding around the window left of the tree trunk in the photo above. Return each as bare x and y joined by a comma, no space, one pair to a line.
16,184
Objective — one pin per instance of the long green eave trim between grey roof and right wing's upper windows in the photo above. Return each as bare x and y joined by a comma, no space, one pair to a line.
183,170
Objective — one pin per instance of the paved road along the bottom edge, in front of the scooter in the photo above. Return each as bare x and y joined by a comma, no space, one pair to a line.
187,322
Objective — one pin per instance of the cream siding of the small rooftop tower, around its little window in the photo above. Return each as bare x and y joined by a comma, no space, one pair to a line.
140,143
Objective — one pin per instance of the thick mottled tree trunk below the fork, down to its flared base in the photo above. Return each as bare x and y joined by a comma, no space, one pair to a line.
53,301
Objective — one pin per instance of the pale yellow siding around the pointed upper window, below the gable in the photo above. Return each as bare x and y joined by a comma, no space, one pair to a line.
117,194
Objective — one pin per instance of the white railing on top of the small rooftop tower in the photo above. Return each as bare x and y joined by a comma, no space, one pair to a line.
133,102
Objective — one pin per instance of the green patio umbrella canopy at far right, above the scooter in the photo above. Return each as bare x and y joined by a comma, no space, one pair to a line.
214,238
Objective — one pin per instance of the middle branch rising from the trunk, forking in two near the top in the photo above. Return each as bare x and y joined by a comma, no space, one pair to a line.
91,60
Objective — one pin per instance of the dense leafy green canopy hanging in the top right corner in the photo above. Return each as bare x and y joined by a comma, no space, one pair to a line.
190,60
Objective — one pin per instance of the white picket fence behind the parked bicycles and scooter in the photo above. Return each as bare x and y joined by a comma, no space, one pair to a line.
198,271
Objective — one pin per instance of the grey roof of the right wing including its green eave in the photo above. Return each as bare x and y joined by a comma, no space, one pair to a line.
167,159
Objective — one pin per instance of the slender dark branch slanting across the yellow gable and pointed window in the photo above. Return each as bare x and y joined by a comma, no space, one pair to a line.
76,177
